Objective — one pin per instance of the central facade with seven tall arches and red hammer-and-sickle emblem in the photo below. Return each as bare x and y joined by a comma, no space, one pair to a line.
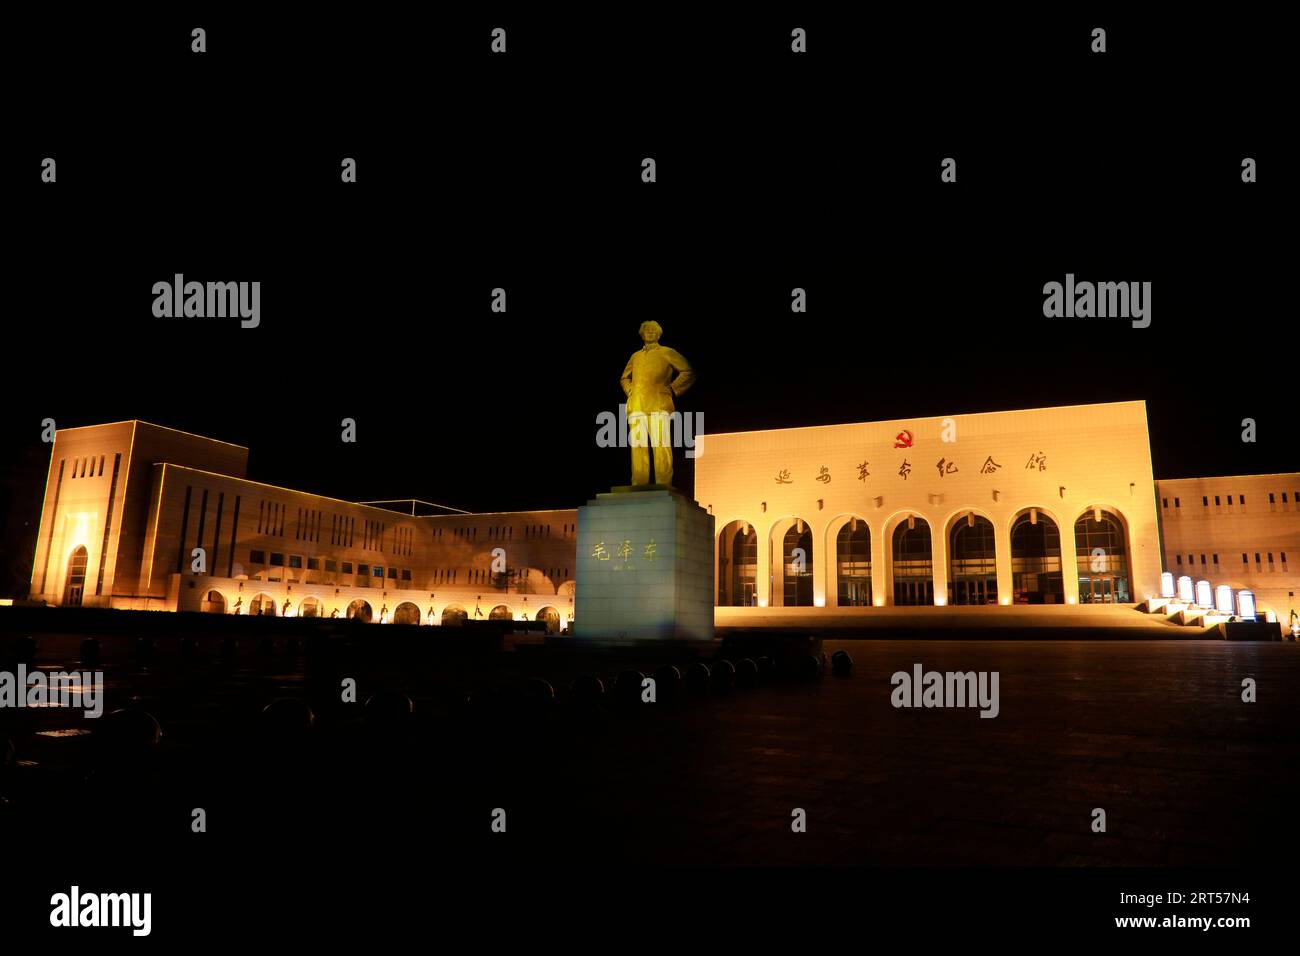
999,470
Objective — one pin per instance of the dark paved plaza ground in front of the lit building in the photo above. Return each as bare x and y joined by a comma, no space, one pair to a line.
1152,732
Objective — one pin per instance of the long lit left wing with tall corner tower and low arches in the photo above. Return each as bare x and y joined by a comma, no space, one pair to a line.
128,504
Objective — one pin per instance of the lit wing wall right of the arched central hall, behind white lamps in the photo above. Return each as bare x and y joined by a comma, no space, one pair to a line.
1242,531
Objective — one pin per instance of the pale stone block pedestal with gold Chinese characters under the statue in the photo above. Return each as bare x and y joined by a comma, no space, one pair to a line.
645,568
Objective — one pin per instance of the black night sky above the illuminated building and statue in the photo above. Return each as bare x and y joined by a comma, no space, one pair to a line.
925,300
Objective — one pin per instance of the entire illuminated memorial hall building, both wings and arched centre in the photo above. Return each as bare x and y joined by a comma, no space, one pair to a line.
1042,507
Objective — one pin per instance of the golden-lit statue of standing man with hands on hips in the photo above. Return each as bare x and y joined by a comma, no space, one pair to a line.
655,375
